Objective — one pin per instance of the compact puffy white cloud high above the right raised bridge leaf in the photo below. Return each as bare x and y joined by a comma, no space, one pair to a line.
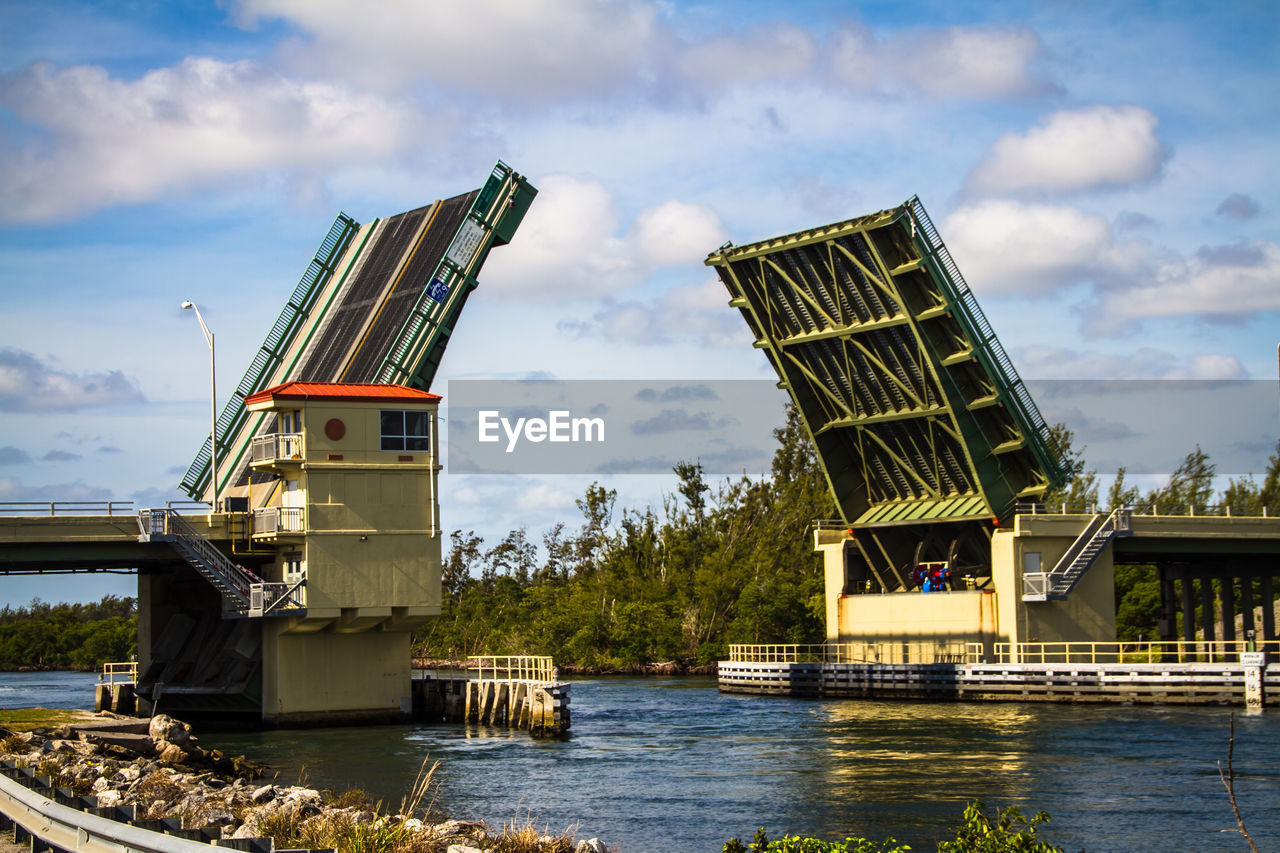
1073,150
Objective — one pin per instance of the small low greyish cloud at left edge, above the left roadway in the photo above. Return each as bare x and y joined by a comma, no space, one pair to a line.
30,385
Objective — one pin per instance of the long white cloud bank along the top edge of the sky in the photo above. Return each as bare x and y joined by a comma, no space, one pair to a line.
554,51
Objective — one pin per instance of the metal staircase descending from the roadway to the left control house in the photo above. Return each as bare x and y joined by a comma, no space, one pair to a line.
244,594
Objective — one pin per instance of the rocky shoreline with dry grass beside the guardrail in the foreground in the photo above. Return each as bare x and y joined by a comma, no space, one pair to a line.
159,769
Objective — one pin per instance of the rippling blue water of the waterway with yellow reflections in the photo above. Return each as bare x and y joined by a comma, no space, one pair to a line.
674,765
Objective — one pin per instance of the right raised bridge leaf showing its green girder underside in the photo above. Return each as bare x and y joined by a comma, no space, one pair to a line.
915,408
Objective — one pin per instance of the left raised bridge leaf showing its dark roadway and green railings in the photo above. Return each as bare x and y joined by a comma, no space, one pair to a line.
378,304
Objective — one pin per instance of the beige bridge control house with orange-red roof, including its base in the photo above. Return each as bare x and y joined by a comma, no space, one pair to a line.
350,480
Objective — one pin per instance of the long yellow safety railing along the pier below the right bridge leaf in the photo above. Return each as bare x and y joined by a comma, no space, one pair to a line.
972,653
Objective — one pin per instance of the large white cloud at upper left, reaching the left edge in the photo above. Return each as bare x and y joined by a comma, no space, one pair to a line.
106,142
